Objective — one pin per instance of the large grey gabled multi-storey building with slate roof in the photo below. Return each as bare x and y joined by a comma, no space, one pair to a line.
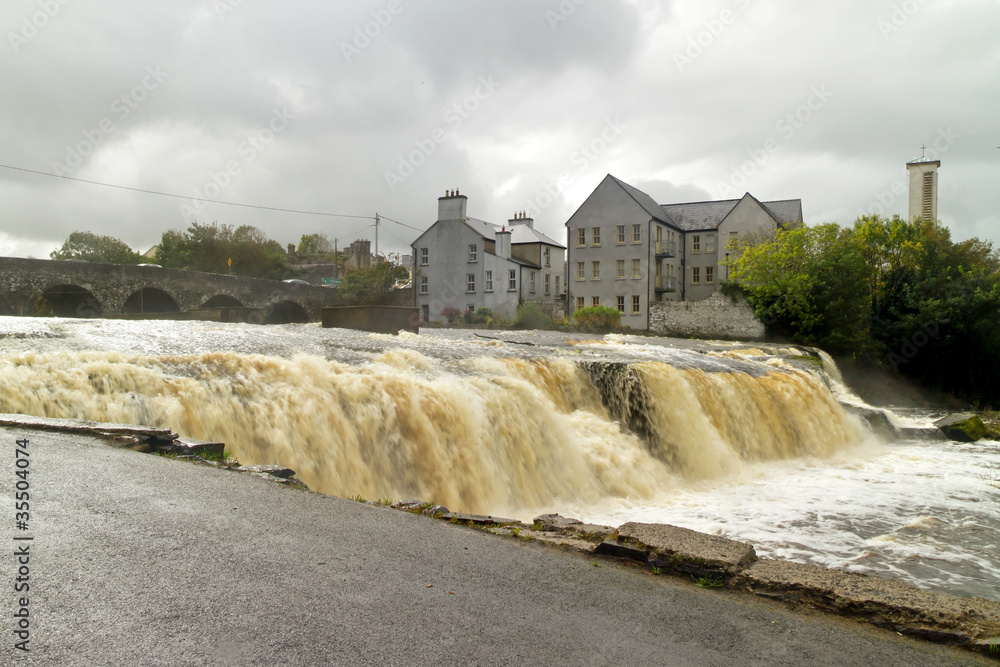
628,252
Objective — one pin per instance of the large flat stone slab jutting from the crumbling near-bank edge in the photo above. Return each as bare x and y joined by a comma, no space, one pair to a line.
688,551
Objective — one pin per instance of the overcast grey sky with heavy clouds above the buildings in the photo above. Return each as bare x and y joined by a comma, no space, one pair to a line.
381,106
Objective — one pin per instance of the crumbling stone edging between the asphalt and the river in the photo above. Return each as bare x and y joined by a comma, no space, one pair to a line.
710,561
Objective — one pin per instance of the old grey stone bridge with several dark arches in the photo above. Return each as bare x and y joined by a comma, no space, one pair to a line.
70,288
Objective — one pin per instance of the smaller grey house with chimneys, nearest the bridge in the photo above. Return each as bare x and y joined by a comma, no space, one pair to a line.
465,264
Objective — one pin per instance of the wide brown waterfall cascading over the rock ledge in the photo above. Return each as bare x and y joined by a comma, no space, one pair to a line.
482,434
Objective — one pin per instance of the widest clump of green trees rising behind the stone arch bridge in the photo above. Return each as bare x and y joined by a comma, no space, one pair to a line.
210,247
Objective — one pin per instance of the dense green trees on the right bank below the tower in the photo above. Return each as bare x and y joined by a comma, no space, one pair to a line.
898,294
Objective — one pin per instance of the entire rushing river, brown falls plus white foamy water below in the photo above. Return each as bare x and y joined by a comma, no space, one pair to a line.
720,439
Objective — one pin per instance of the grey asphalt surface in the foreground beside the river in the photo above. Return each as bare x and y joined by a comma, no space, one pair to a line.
141,560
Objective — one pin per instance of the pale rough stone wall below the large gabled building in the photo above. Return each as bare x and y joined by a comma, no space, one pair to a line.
715,317
